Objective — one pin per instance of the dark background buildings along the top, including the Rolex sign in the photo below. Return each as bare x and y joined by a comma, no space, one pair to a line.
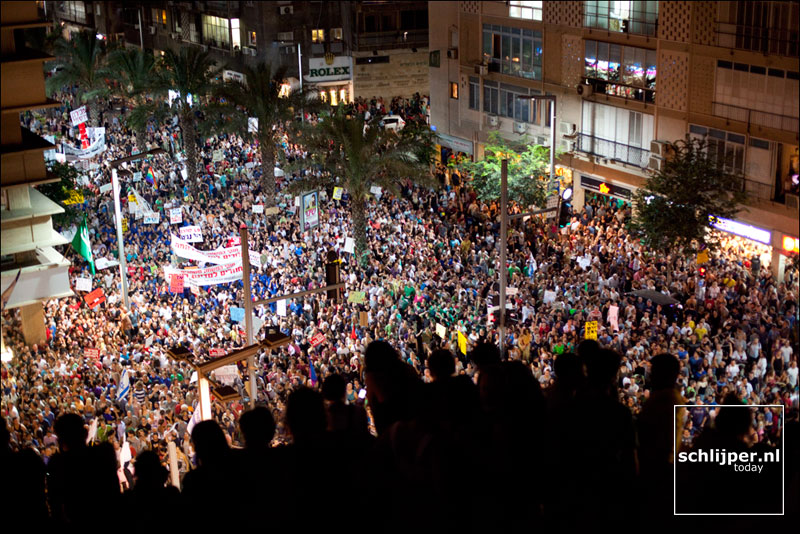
344,49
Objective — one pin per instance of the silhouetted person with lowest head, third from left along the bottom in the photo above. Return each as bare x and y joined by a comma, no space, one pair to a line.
150,492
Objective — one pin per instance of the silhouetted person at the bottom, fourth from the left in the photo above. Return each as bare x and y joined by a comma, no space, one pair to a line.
213,478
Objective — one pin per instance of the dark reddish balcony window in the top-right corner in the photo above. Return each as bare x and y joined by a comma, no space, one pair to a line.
766,27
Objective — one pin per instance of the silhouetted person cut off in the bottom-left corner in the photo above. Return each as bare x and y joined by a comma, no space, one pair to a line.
23,484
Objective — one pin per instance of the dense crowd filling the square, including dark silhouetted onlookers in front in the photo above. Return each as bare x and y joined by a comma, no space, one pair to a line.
407,397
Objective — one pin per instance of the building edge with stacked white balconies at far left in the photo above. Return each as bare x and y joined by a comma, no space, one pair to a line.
27,237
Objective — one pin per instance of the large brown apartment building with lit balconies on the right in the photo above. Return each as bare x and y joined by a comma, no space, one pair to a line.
627,77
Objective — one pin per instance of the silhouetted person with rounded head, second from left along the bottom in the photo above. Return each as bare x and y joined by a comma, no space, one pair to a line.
79,474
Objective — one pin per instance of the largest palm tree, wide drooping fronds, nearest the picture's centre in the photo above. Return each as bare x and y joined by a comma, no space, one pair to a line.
363,154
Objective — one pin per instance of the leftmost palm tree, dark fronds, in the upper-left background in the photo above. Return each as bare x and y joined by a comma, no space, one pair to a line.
81,61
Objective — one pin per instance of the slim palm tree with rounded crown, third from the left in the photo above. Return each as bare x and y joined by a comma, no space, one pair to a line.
188,72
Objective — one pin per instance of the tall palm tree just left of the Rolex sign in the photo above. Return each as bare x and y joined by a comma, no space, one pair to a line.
260,97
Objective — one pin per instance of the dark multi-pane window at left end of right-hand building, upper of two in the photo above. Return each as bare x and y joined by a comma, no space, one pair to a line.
513,51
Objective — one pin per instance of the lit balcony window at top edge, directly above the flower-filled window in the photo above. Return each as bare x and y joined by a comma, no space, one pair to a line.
637,17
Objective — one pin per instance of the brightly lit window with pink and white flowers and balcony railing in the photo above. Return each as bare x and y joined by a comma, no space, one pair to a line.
618,70
